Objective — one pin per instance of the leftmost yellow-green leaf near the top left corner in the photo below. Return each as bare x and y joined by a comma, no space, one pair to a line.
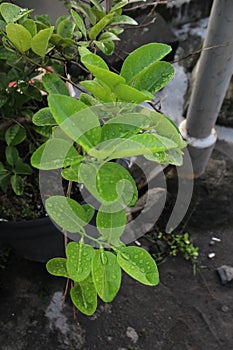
19,36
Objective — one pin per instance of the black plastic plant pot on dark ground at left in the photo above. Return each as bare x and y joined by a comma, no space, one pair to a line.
36,240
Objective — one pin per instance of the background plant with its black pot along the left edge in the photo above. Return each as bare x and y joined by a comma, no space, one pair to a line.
23,61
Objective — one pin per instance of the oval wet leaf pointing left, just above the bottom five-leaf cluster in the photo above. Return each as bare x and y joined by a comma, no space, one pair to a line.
66,213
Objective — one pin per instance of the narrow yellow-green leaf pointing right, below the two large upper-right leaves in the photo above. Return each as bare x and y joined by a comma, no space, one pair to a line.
130,94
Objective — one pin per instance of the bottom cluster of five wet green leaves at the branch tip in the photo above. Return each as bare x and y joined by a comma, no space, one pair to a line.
96,272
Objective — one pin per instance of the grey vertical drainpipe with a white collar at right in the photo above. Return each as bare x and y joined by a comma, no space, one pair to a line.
214,72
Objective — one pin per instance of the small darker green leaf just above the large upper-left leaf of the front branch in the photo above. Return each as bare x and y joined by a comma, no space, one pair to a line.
54,85
